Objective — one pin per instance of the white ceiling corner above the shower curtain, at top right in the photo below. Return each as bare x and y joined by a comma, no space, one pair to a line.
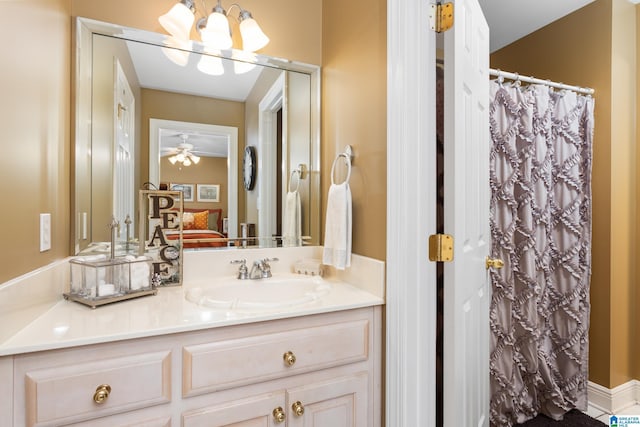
510,20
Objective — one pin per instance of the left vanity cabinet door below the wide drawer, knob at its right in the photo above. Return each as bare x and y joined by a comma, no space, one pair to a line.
259,411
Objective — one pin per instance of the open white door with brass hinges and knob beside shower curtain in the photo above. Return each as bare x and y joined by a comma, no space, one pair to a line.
466,282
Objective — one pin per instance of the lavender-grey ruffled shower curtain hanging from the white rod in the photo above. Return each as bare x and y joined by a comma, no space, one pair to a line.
541,227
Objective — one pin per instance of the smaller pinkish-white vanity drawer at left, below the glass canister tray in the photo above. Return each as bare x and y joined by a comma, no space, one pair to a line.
66,394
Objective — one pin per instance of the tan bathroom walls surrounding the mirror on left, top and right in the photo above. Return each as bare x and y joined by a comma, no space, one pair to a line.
37,106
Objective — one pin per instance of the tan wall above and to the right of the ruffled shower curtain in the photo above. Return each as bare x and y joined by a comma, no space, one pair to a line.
595,47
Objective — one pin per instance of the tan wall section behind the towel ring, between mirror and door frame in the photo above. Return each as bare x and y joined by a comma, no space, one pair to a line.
354,99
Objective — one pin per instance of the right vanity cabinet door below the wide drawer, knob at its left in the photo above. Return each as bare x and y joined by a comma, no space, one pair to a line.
341,402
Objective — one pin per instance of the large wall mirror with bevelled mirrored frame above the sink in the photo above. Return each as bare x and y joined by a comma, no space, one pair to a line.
157,113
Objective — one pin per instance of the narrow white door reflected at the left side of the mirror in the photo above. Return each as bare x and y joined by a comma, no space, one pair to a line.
124,155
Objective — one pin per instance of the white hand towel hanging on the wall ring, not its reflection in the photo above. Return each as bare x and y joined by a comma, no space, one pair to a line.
337,235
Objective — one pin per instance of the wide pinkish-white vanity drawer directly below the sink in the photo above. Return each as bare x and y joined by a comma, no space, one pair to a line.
231,363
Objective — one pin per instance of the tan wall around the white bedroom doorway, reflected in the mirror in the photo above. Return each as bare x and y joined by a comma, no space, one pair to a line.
188,108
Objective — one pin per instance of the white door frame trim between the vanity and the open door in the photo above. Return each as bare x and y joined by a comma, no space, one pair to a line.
411,208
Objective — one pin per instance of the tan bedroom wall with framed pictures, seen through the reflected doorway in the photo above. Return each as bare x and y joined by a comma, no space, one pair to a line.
210,170
